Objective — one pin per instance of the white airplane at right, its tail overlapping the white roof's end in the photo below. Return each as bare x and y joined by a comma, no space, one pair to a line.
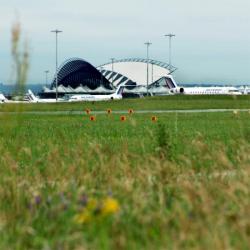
202,90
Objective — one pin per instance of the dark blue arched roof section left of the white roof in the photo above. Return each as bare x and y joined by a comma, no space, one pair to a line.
76,71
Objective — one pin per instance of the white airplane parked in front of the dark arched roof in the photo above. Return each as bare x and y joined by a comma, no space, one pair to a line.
116,96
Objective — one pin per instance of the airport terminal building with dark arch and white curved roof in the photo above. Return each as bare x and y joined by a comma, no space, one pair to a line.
77,76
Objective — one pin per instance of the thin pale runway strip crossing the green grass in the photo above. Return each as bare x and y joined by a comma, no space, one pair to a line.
126,112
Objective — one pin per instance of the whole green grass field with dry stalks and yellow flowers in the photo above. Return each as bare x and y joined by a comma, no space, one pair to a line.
181,182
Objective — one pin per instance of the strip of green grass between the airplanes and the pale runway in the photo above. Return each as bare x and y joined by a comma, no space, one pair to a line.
155,103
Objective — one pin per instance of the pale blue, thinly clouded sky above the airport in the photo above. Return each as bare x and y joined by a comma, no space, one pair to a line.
212,43
